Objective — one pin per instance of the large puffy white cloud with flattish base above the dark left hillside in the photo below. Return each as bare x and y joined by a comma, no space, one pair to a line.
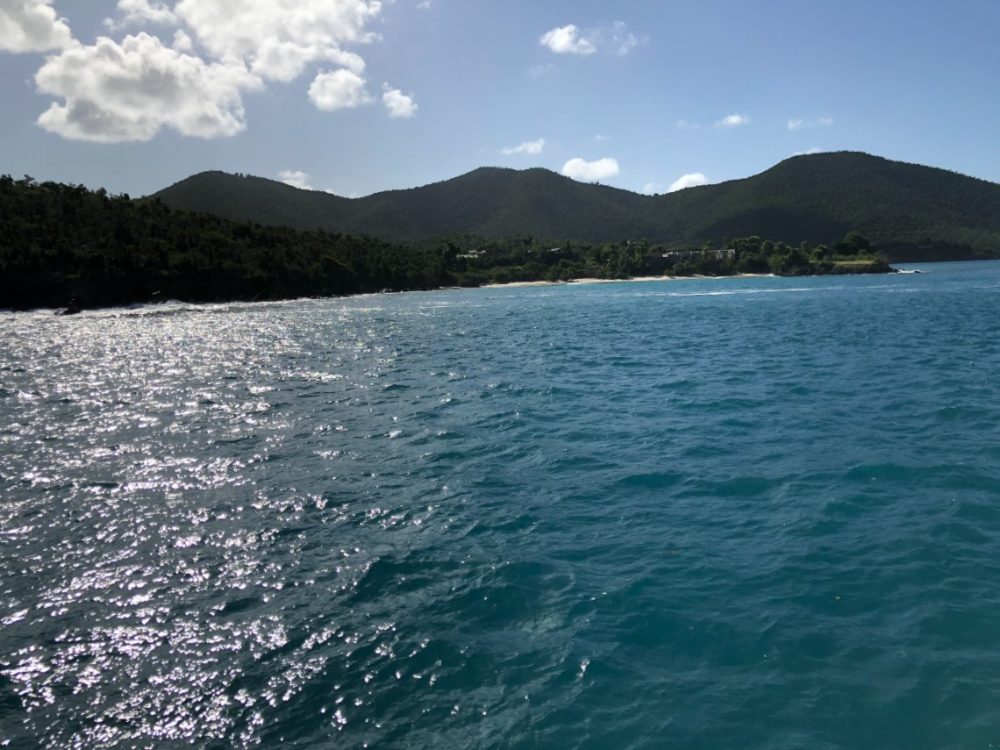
130,91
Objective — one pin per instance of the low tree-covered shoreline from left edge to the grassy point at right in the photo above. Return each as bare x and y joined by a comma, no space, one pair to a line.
64,245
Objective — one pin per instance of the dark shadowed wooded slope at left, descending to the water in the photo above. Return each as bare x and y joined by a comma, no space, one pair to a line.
60,243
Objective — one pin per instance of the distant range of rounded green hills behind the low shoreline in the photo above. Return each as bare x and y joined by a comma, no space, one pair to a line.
911,212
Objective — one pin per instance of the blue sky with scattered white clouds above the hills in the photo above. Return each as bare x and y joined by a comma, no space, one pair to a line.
359,96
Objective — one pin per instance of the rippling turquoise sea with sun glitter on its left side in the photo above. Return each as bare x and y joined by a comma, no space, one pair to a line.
755,513
